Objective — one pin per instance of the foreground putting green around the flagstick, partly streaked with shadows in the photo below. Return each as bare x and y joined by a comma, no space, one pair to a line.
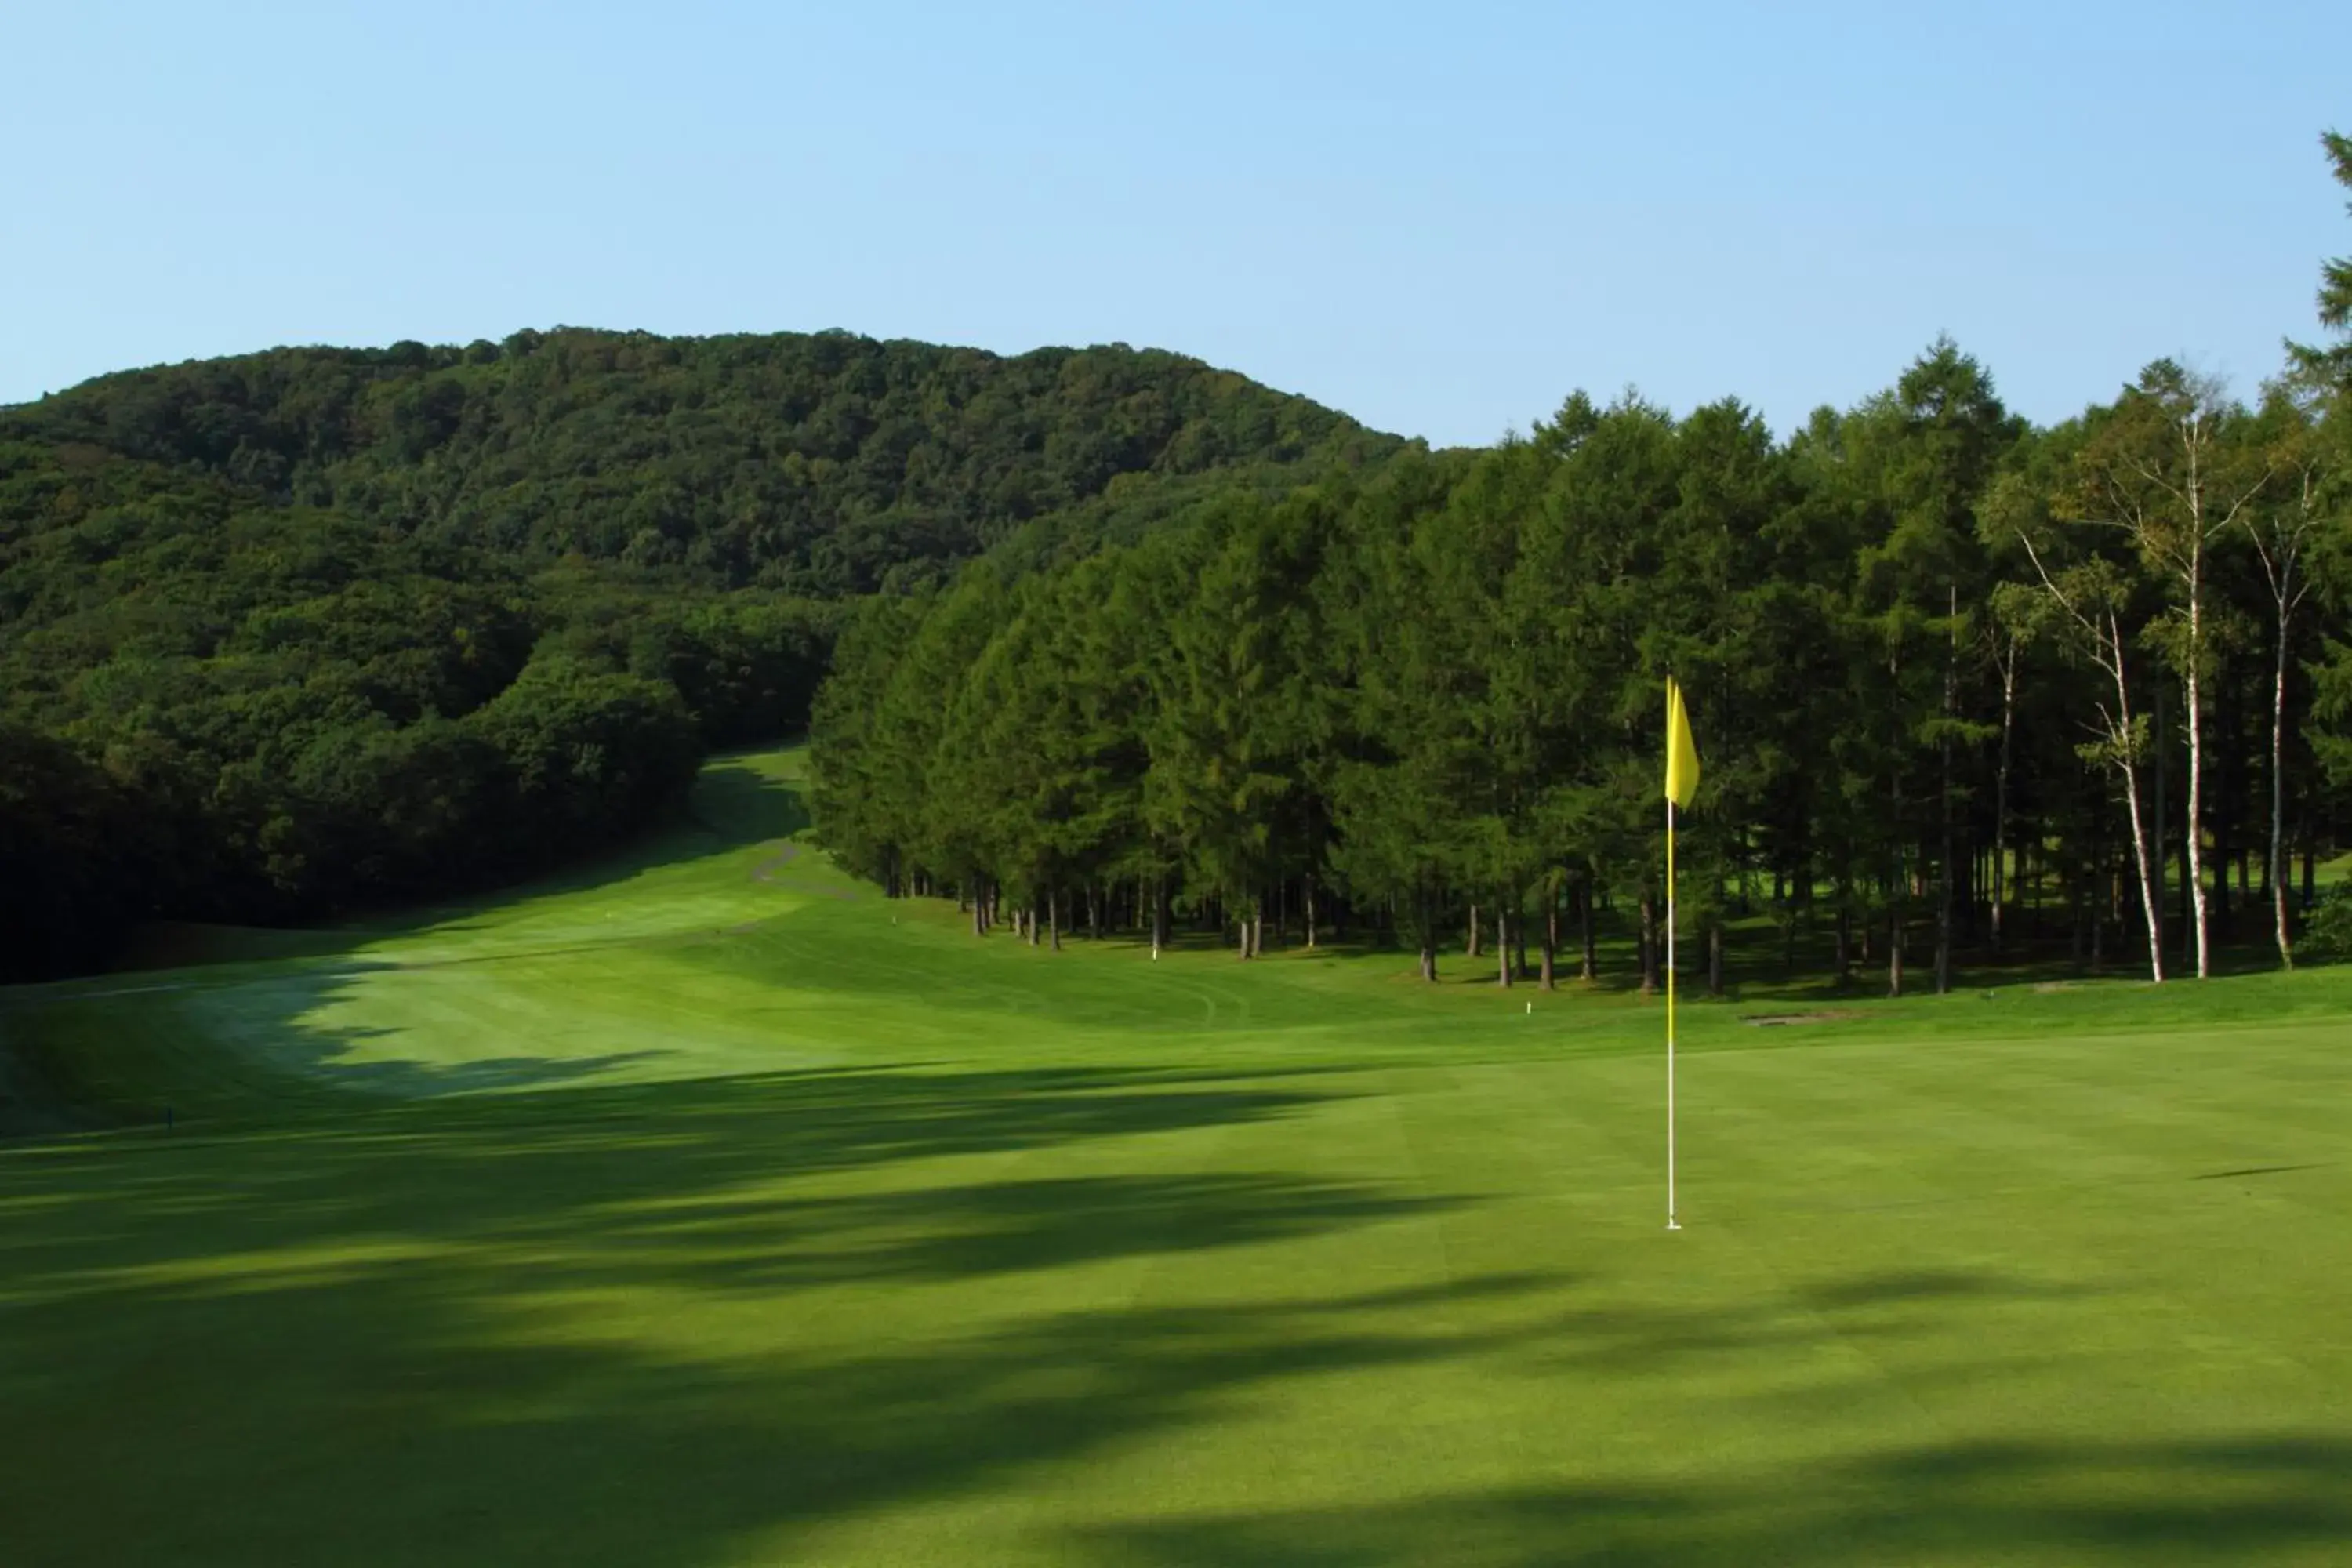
1154,1315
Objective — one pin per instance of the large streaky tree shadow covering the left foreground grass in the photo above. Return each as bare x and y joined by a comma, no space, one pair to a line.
639,1327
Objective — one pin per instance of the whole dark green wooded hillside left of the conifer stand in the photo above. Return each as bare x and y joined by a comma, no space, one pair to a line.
309,631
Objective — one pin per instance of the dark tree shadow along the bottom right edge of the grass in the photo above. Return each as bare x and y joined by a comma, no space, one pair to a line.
1958,1503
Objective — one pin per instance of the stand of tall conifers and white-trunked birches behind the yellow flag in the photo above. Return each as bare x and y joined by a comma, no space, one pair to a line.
1963,688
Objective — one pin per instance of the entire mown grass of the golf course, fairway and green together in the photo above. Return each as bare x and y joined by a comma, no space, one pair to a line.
711,1209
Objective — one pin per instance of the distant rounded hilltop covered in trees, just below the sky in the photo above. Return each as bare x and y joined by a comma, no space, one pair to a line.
815,464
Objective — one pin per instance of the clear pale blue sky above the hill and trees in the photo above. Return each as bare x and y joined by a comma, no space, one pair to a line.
1438,217
